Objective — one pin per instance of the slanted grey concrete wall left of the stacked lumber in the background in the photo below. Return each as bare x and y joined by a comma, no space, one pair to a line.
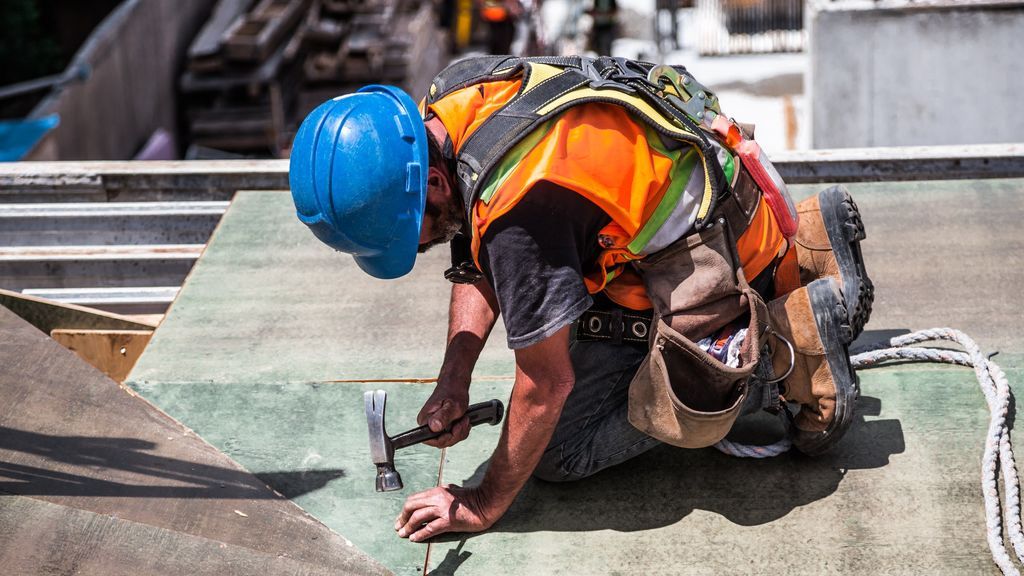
135,57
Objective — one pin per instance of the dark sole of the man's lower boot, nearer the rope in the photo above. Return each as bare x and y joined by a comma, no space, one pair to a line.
831,316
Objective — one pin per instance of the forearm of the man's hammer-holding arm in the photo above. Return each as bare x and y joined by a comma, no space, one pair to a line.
473,314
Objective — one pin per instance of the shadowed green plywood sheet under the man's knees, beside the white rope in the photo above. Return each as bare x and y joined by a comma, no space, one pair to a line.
900,496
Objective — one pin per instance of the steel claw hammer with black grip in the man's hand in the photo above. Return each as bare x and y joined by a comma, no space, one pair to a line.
382,446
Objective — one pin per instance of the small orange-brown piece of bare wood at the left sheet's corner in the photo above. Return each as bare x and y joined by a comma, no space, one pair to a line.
112,352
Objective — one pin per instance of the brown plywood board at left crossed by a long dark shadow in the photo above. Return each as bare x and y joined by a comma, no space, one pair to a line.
72,437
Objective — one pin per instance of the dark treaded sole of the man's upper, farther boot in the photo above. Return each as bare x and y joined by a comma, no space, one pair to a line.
846,229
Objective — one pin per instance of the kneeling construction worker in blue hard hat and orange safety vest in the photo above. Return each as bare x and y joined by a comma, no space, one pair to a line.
617,256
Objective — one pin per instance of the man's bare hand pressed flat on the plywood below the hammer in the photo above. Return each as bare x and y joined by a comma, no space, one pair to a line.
446,509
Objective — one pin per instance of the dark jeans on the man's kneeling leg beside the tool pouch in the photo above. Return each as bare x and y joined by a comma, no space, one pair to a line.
594,432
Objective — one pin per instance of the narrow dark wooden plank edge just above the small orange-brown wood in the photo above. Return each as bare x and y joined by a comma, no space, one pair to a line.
50,315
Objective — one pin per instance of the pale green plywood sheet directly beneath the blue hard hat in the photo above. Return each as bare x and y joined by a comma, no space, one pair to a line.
268,303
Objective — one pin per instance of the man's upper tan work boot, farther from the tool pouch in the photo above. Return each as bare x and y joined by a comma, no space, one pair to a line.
829,246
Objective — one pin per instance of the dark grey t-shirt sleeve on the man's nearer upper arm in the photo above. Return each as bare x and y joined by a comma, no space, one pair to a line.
535,258
